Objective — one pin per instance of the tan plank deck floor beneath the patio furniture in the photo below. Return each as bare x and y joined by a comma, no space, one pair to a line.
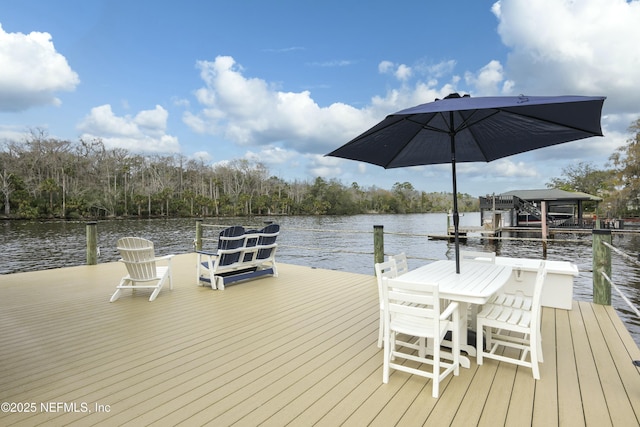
299,349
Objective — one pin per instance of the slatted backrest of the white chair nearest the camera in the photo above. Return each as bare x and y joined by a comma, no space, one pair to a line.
411,302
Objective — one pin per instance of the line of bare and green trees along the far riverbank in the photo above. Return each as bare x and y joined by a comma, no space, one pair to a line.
43,177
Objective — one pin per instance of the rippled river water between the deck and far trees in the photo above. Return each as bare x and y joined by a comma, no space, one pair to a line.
340,243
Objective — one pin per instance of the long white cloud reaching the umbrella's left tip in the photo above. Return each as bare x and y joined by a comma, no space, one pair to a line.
250,111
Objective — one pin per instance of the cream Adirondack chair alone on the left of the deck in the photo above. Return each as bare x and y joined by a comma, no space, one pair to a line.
139,258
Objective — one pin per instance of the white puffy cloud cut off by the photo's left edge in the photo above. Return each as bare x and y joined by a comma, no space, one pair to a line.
32,71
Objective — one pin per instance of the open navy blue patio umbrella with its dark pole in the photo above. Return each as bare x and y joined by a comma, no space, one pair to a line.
468,129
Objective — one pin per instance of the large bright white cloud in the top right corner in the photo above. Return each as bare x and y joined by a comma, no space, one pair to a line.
586,47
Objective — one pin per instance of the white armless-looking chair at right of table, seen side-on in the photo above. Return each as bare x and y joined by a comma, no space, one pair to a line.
497,320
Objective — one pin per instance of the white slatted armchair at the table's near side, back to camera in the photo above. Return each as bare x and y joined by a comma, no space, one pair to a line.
414,309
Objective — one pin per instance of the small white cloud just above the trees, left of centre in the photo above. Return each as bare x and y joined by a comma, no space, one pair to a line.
144,132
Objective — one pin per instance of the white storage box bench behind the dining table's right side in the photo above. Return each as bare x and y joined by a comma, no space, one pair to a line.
558,287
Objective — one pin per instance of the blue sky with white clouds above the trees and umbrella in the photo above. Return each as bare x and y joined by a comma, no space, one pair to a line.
285,82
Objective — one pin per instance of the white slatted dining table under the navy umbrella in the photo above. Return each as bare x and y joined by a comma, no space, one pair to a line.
475,284
